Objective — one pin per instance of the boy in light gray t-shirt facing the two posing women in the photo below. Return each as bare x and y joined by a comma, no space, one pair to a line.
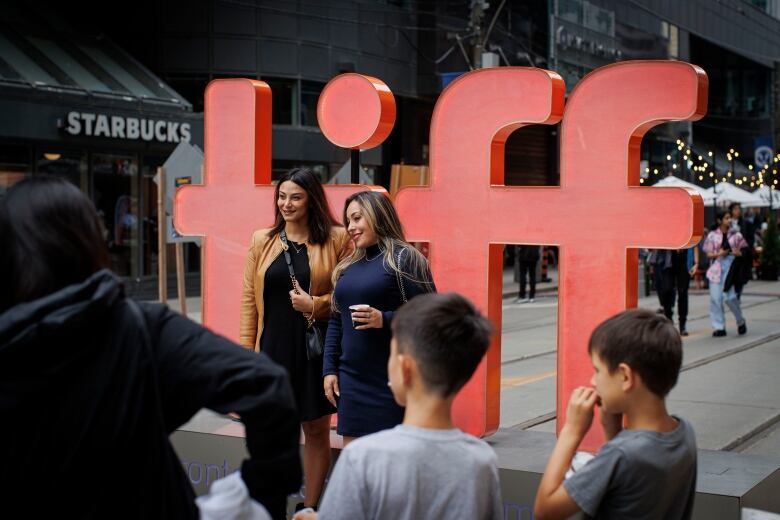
424,468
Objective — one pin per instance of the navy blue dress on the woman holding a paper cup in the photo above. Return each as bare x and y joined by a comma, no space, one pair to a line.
359,357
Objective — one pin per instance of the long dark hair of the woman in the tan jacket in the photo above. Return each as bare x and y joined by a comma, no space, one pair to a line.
320,219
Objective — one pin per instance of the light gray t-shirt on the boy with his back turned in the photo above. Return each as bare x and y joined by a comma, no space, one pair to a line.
414,473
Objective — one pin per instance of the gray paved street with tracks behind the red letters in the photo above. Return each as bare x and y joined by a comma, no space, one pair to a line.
729,388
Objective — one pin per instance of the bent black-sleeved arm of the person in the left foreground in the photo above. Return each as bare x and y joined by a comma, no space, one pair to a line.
199,369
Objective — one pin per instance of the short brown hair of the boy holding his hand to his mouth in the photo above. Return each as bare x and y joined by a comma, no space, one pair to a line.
645,341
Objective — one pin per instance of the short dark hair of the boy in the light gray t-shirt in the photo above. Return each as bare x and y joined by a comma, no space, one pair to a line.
447,337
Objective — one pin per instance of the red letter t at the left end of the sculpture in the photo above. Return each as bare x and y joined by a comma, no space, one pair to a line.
236,196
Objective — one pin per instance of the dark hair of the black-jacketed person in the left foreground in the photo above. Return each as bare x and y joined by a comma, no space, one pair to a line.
51,237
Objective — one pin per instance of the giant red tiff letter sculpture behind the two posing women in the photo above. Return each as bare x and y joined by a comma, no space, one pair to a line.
599,215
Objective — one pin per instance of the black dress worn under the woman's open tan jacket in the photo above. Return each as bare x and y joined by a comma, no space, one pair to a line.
284,334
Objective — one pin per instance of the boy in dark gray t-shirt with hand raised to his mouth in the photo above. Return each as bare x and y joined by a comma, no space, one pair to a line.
647,469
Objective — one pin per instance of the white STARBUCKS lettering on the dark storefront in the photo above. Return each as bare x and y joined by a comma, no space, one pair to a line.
121,127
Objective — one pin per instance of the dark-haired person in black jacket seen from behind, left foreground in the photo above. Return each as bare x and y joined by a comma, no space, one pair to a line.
92,383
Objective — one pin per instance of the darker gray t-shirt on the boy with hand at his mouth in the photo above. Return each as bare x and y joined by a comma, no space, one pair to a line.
639,474
